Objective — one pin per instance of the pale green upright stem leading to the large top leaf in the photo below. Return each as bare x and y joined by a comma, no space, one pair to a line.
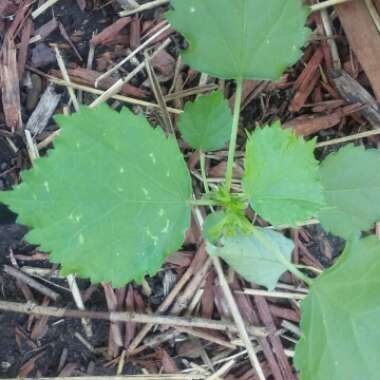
234,133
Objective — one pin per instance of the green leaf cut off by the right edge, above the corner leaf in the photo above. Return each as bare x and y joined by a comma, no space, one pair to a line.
351,179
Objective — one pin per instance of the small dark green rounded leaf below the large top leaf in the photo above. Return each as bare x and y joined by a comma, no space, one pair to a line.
206,123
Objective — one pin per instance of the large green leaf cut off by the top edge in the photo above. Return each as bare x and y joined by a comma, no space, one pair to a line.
249,39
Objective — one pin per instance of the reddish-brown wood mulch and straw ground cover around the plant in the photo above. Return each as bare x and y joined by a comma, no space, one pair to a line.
53,55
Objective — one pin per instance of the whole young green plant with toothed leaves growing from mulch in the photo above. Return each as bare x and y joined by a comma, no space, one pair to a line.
114,197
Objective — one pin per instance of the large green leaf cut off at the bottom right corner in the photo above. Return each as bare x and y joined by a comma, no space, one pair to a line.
340,318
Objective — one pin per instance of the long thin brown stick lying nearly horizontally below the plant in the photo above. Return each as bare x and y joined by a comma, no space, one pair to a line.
29,308
